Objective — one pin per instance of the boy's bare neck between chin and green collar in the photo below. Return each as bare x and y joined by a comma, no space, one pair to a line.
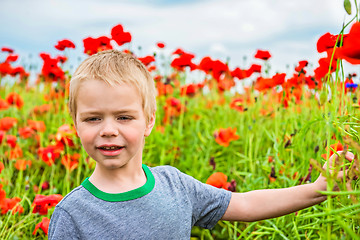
118,180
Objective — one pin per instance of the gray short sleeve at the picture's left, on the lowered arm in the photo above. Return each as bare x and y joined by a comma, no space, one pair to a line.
62,226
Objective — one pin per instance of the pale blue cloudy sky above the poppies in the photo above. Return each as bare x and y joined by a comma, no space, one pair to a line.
227,30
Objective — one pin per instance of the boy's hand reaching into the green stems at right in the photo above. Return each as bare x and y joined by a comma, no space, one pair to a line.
333,165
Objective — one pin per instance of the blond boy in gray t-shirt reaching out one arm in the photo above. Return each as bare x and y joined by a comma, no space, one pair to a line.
112,103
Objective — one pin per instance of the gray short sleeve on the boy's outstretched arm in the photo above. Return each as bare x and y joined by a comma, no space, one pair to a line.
209,203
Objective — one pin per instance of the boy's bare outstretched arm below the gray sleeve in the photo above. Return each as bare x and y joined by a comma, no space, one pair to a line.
269,203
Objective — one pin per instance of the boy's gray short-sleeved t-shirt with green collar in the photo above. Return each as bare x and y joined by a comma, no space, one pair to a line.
166,207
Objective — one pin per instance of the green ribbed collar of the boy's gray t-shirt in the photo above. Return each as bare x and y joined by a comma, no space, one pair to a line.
125,196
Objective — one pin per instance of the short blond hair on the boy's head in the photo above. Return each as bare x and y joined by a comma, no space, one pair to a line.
115,67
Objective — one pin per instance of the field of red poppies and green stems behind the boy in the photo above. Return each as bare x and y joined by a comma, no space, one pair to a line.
276,132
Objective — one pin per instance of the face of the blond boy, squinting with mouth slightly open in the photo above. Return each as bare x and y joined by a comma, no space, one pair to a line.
111,124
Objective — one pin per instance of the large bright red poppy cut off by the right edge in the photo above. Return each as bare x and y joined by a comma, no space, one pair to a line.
350,51
